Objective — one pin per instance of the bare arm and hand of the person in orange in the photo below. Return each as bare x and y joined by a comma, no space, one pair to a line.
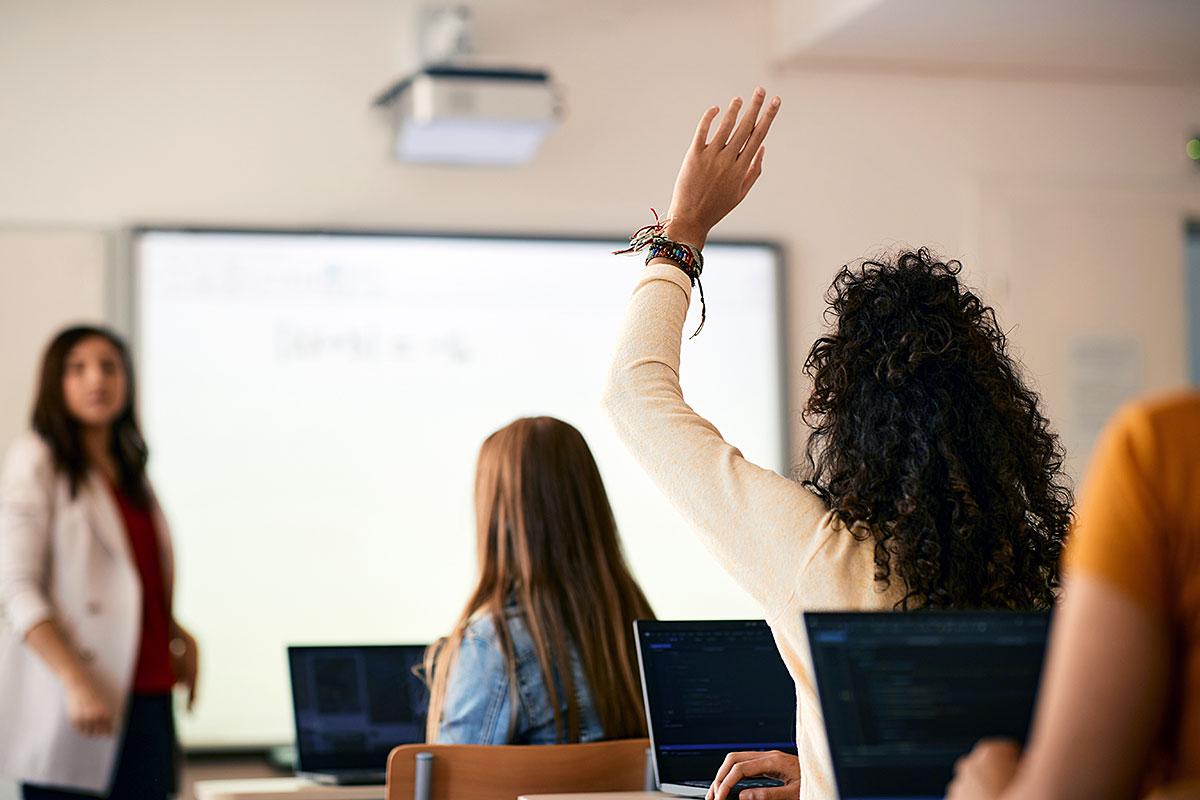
1100,706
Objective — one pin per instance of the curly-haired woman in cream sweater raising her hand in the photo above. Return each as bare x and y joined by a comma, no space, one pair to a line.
933,479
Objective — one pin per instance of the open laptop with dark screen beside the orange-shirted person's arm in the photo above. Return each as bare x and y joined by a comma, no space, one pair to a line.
905,695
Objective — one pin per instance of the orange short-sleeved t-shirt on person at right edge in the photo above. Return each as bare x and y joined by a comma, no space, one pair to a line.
1138,528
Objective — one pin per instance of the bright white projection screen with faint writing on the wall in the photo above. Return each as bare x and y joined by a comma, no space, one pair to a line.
315,405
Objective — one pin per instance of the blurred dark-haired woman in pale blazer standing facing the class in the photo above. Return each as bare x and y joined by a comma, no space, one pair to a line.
89,649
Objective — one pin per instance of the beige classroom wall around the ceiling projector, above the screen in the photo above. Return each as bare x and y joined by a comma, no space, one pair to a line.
259,115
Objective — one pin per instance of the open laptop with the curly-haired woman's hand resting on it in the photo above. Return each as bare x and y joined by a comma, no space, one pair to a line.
712,689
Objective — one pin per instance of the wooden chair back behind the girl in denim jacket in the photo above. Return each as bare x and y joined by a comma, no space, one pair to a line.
505,772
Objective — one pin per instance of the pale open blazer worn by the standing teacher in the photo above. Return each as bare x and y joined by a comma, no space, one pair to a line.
65,560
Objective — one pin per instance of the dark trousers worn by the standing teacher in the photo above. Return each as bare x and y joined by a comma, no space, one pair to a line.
146,760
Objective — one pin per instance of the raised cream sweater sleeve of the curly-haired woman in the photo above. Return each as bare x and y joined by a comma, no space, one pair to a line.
761,527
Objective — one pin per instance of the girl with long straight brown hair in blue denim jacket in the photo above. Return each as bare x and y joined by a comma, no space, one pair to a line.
544,651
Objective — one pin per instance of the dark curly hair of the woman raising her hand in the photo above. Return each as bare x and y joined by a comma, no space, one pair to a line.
926,438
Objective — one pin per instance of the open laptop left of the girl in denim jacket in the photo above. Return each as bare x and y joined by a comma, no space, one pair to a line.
352,706
